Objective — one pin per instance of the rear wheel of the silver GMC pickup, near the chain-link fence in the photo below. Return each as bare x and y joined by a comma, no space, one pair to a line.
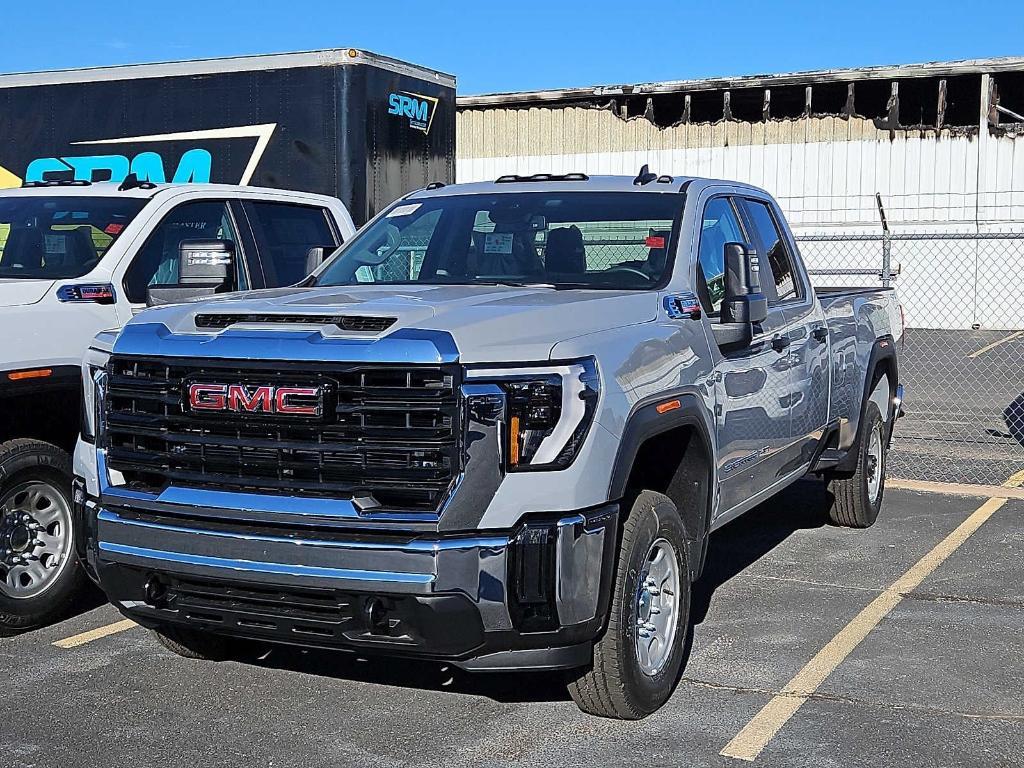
852,504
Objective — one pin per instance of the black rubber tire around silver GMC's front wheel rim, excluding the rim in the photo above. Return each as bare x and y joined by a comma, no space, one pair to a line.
616,686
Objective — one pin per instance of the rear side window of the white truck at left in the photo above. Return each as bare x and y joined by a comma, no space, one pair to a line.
285,234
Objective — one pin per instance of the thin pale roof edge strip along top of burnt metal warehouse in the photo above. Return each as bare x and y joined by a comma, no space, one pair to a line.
931,69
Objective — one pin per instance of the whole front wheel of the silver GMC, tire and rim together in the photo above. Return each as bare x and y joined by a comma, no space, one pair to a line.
638,660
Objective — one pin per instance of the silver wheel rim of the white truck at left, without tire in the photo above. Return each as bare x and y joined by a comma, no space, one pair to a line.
35,539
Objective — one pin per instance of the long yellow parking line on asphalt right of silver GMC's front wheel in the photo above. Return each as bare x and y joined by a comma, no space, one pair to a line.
756,735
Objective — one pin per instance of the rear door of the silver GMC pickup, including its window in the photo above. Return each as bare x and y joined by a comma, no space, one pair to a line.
784,281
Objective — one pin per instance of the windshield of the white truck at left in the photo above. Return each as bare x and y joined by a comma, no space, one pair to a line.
60,237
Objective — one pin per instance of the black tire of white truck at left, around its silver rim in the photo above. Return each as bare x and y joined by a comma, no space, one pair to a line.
21,461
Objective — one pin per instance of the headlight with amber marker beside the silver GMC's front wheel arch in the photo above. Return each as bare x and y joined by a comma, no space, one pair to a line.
549,411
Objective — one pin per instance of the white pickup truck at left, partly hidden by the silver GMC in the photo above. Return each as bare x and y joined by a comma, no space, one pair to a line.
77,259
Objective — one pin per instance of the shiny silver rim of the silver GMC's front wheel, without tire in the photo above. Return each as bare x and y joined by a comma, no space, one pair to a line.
657,598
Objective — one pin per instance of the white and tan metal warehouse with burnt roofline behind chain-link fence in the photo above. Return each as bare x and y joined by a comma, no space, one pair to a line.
942,143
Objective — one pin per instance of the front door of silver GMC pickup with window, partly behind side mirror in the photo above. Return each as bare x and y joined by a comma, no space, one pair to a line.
753,386
